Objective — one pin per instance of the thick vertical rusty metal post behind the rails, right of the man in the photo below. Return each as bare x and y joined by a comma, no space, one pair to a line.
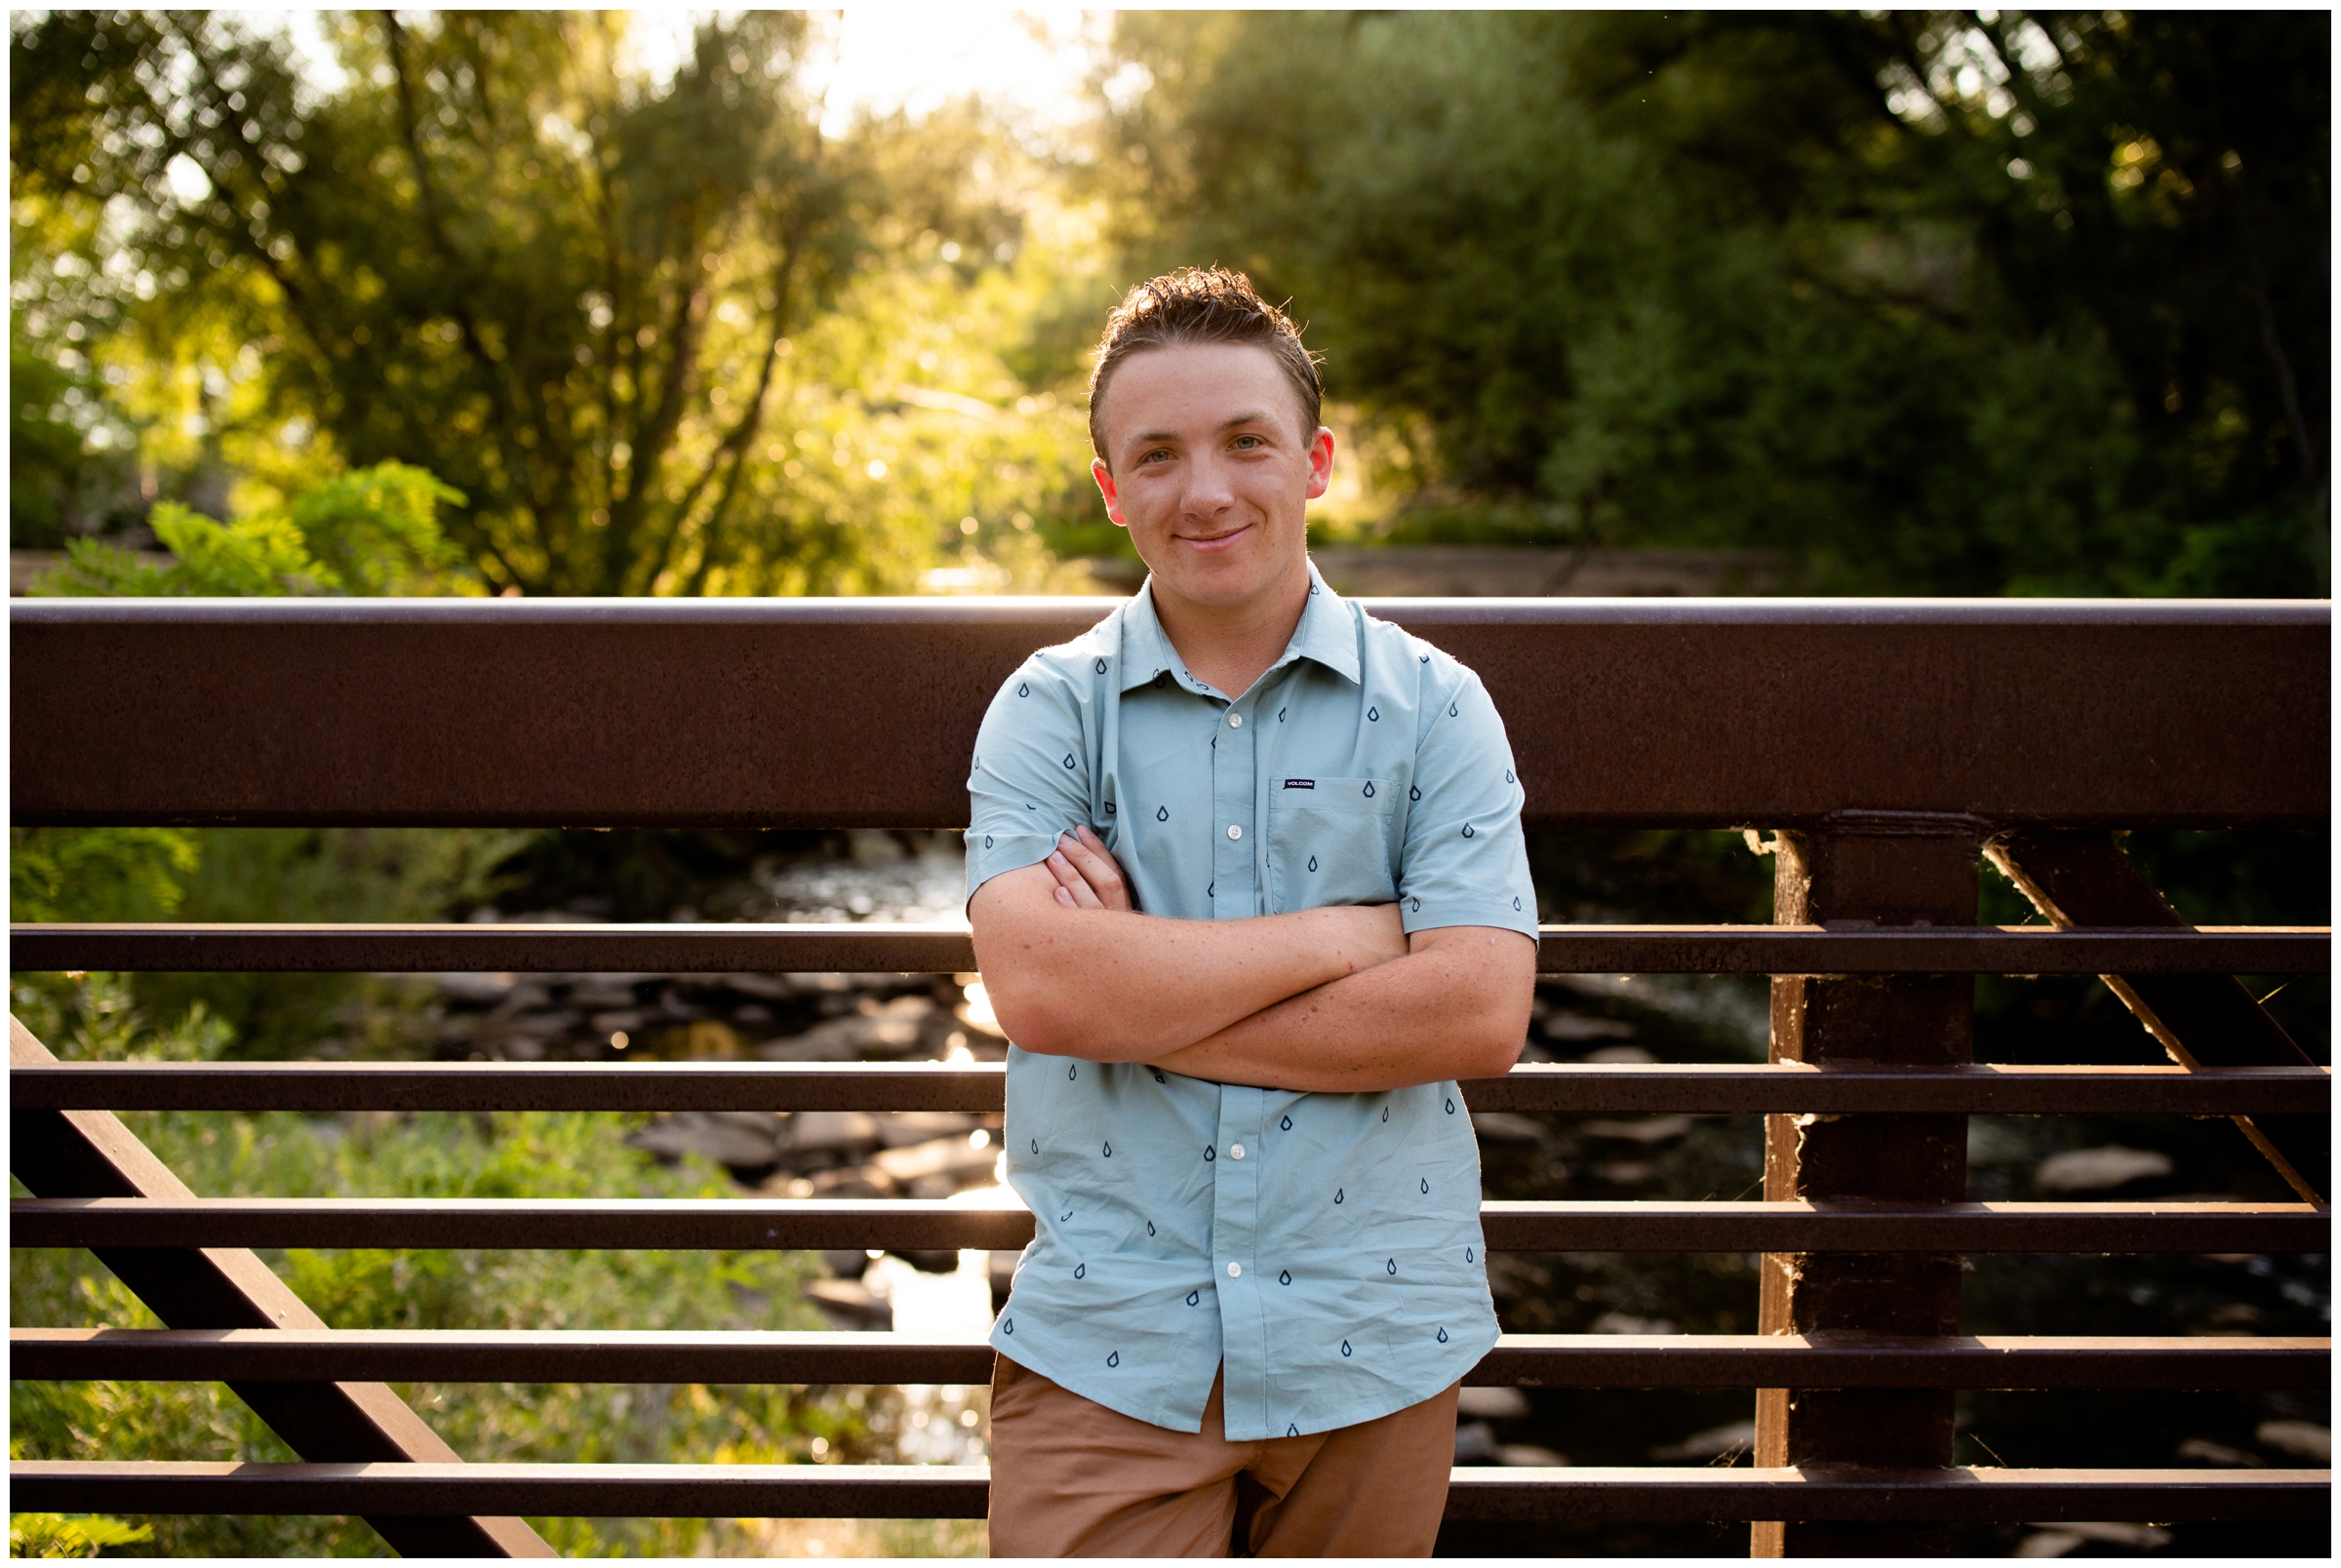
1867,869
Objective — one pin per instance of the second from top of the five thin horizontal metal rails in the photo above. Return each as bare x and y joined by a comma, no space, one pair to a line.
1579,1089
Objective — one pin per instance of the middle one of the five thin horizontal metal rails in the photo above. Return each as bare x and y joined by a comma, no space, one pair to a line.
914,1225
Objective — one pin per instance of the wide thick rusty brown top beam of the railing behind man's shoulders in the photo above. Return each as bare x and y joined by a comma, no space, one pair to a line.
821,715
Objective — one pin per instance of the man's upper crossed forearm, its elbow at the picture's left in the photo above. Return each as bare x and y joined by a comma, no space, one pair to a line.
1115,986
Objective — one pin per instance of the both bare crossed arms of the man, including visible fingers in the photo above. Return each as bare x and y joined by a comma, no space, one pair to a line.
1333,1000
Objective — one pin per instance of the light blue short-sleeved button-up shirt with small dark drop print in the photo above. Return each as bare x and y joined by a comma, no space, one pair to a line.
1324,1249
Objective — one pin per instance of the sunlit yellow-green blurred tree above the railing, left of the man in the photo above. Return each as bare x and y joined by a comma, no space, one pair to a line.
509,252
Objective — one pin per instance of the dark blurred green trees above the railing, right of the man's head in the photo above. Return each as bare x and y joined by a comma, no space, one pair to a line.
1925,301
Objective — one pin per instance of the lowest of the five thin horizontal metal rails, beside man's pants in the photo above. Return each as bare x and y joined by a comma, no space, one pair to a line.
961,1492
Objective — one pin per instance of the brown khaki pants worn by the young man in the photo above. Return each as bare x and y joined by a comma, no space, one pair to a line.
1073,1478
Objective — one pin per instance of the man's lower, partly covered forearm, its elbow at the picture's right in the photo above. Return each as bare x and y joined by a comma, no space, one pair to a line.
1457,1010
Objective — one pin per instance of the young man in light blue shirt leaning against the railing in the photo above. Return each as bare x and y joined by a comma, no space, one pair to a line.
1249,895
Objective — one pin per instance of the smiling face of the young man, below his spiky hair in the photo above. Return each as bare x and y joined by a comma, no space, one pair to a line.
1211,472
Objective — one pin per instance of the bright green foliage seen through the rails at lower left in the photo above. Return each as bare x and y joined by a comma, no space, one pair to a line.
434,1157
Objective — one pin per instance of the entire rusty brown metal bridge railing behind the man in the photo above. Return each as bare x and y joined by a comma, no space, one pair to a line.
1886,745
